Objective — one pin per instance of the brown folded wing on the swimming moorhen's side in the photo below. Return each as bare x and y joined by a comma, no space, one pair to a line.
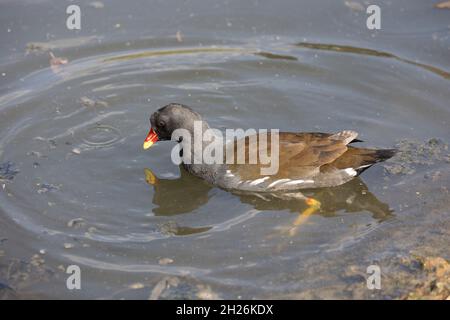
300,154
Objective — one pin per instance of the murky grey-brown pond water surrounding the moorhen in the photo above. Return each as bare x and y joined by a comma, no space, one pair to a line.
75,176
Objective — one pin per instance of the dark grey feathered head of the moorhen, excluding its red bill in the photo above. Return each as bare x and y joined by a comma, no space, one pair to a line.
171,117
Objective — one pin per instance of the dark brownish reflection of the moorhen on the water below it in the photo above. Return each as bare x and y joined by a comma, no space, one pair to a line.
187,193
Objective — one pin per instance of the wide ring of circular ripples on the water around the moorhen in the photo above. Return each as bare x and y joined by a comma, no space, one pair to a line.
80,159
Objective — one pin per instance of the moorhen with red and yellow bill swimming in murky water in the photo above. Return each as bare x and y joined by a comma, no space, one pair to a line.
305,160
